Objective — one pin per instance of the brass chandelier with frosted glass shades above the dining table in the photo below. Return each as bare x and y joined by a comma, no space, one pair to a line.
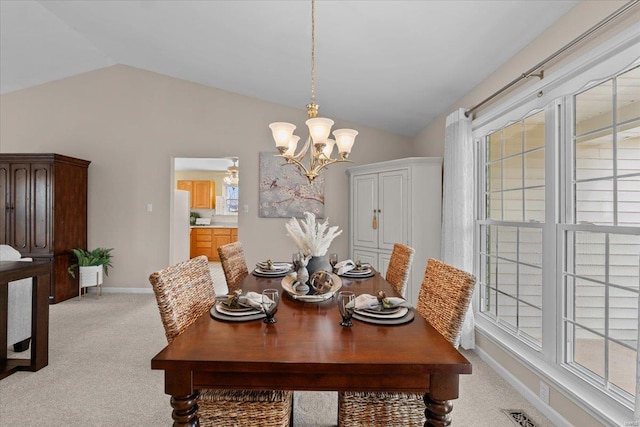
318,145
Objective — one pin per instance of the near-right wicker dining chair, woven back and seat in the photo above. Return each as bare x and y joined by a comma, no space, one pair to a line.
443,301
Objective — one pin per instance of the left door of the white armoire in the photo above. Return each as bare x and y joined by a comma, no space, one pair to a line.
364,206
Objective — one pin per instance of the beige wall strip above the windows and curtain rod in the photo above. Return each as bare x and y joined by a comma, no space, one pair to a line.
430,142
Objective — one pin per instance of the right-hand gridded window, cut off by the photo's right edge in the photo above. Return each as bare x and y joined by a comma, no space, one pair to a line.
600,234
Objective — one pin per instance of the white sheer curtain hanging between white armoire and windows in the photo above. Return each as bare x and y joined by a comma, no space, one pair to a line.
457,205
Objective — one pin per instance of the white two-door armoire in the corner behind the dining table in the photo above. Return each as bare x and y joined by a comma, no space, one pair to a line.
398,201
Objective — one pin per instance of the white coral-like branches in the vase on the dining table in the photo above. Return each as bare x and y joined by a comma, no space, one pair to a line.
310,236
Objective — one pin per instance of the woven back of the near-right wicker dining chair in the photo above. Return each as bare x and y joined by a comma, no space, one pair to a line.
444,298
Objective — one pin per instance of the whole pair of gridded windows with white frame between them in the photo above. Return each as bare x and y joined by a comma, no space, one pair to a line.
558,233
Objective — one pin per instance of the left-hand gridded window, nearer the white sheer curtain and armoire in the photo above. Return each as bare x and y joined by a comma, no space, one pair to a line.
511,230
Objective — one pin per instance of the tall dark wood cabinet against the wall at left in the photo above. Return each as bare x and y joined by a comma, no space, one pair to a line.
43,212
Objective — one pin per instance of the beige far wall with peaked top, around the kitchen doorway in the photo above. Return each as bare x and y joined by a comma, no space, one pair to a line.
130,124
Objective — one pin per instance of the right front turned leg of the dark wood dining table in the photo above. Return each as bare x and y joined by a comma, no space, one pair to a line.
442,389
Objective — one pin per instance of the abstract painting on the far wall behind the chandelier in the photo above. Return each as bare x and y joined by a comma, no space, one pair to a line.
285,192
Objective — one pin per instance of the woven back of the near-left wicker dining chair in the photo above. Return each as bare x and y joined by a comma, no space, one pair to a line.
184,292
